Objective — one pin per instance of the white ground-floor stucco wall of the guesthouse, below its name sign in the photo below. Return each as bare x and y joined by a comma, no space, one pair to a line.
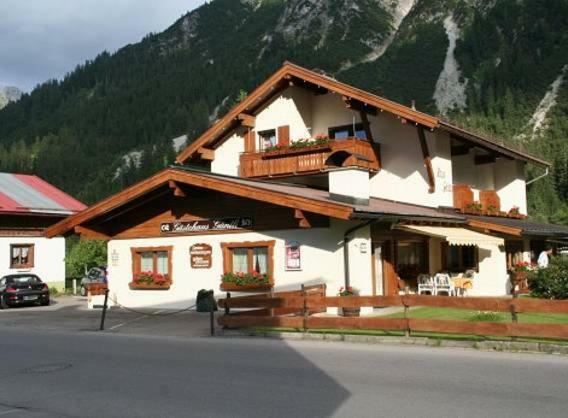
321,262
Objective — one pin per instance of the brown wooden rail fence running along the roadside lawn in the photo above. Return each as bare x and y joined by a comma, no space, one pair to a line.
297,311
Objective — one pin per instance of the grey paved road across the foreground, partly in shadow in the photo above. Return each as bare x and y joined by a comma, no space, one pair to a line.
83,373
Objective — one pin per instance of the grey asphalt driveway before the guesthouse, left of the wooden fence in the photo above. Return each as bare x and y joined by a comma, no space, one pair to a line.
70,313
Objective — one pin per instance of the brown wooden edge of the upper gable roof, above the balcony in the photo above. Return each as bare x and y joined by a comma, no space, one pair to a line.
279,80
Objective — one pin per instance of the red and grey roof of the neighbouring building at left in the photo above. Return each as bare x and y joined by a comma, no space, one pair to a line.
28,194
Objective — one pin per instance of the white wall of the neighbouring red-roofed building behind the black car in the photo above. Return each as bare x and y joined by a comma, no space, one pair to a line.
49,258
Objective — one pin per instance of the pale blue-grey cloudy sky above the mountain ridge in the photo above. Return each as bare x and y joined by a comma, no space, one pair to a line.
45,39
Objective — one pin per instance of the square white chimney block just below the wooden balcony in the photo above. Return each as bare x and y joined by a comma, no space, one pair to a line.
349,185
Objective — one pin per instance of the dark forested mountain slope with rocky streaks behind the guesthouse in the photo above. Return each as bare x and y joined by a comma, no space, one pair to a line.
497,66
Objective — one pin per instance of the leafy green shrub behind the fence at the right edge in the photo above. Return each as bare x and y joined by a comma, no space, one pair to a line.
551,282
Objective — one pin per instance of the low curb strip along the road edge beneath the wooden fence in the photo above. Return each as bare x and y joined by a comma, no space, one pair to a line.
502,346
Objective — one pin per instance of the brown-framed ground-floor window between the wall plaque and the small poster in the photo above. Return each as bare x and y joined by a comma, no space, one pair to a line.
248,257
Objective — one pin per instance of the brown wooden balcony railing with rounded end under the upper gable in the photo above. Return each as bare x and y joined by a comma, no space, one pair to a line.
349,152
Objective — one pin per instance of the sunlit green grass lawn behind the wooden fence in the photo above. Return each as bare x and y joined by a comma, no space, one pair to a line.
468,315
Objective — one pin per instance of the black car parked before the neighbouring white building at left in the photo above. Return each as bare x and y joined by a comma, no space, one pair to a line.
23,289
